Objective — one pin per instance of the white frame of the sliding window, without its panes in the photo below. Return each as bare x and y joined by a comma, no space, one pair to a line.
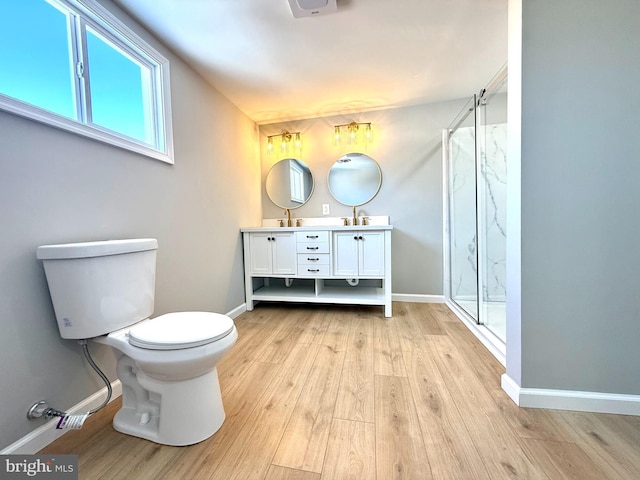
88,13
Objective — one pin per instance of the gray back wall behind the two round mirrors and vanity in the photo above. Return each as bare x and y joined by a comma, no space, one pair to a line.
407,144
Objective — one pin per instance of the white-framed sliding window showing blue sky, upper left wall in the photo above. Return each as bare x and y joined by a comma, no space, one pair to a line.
73,65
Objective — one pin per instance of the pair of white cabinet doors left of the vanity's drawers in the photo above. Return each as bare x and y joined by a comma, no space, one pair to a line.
273,253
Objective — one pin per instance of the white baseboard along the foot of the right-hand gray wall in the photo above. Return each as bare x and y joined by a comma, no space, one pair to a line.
597,402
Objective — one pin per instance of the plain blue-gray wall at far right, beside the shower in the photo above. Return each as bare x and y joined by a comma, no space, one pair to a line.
580,325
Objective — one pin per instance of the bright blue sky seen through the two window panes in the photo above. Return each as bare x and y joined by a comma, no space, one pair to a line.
37,67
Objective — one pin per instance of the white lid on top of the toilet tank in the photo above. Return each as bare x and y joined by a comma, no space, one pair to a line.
95,249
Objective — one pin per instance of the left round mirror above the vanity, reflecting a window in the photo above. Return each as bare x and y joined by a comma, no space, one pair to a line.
289,183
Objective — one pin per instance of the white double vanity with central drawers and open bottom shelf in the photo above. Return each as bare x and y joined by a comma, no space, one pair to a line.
319,264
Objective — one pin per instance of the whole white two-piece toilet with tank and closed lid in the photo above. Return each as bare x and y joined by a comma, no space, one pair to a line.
104,291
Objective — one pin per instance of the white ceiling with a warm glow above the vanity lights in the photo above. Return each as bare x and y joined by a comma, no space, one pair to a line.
370,54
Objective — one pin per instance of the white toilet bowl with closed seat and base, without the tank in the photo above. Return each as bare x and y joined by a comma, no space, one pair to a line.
170,389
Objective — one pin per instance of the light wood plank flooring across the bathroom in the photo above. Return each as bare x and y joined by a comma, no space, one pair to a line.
335,392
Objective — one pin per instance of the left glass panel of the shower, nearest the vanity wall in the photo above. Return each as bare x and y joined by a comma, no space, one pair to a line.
463,252
